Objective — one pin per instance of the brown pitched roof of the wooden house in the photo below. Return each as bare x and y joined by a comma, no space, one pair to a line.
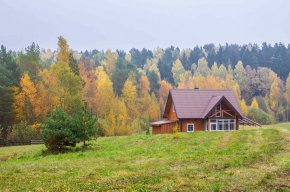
196,103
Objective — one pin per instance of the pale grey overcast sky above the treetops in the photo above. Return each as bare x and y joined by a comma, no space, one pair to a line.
123,24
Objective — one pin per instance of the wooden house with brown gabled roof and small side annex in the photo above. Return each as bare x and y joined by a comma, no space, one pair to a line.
199,110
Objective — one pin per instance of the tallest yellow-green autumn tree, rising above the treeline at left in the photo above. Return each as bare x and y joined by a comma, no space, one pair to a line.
60,86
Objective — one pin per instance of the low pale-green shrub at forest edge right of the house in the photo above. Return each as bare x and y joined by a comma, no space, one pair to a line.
260,116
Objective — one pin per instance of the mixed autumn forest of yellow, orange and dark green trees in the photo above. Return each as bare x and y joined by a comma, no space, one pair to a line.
125,91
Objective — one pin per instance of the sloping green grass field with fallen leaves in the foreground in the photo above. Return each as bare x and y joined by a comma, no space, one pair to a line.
247,160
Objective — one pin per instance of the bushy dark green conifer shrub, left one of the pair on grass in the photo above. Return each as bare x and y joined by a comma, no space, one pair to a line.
59,131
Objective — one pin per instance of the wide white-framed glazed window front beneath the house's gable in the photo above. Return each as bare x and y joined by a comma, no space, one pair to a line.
222,124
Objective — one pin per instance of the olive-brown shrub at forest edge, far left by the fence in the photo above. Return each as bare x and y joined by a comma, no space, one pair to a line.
22,133
